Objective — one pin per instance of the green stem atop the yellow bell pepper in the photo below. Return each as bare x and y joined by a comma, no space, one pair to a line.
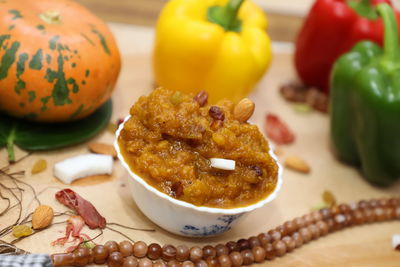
226,16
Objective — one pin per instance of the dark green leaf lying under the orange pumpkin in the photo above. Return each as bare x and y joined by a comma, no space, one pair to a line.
40,136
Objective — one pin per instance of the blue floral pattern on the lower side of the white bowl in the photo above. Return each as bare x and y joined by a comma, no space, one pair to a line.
225,225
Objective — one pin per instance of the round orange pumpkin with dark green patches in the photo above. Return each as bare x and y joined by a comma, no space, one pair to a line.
58,61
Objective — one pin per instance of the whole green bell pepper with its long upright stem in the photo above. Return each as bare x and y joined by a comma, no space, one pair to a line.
365,105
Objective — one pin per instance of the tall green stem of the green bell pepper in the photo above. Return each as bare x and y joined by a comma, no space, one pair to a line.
391,38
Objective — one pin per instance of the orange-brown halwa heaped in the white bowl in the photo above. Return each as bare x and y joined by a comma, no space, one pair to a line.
171,137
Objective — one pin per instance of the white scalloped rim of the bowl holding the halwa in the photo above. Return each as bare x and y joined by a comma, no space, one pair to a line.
229,211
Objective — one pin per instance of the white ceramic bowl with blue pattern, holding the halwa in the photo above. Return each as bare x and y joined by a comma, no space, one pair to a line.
183,218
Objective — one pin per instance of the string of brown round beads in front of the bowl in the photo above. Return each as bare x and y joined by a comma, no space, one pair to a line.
256,249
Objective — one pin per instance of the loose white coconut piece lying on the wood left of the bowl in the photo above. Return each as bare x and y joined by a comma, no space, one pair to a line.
81,166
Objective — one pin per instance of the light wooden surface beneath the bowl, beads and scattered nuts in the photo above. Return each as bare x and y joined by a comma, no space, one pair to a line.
368,245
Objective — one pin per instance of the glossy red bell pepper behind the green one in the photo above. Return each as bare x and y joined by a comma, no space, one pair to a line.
332,28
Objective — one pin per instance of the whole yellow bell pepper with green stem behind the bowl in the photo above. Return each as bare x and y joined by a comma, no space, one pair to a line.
219,46
